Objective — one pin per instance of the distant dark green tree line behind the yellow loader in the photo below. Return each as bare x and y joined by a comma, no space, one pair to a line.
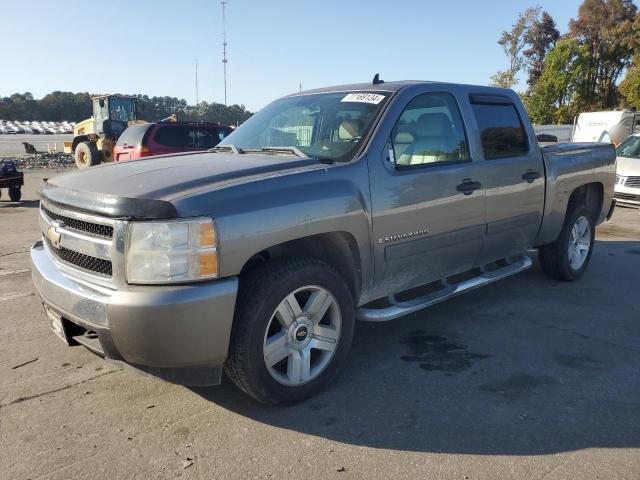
73,107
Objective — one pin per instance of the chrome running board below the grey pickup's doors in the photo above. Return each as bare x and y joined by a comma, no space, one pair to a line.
400,308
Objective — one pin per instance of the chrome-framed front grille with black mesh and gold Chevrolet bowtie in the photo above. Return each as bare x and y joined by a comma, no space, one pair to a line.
86,246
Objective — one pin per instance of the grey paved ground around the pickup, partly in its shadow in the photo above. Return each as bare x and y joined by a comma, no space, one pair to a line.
528,378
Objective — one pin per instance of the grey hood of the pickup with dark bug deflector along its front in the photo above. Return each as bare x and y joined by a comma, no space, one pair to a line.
144,188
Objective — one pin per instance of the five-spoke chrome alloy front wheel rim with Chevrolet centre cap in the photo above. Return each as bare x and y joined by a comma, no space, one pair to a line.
302,335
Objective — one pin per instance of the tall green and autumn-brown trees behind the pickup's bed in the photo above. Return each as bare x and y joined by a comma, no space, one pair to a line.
594,66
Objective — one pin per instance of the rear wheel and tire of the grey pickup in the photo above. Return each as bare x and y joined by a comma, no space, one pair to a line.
555,258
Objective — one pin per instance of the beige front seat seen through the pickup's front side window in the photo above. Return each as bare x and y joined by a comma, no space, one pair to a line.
434,140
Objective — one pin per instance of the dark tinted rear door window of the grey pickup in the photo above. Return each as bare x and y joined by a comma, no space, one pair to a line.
501,130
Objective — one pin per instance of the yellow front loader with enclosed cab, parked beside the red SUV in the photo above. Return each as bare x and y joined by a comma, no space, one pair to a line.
95,137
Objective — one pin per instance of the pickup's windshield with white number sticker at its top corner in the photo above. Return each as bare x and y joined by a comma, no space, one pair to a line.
326,125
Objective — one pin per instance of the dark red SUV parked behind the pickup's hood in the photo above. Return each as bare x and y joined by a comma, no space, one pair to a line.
163,138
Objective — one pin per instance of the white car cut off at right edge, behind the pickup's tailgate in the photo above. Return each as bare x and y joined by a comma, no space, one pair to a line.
627,189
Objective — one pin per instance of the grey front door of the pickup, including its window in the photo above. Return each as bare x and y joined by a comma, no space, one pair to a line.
428,199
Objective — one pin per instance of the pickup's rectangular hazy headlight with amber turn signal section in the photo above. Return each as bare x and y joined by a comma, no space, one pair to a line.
172,251
